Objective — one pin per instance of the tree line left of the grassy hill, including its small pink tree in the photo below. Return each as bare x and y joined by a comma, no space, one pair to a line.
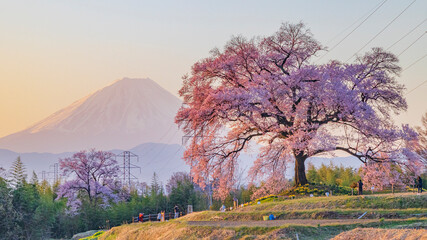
31,208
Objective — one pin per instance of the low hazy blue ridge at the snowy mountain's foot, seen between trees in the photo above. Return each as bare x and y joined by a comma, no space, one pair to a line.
163,159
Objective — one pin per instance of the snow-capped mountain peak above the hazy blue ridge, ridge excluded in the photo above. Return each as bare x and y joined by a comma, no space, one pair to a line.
125,114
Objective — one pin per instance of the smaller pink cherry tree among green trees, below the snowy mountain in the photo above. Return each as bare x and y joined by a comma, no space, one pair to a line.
92,177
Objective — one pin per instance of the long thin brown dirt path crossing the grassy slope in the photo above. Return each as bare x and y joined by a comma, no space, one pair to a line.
277,223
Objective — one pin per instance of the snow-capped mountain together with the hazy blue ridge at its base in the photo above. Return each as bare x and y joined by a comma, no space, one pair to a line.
130,114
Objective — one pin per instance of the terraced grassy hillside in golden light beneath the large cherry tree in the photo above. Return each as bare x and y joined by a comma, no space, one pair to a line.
307,218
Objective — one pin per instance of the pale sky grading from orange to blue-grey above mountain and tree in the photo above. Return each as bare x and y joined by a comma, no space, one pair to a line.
53,53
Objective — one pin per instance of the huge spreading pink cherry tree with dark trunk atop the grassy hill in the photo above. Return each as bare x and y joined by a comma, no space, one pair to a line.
267,90
